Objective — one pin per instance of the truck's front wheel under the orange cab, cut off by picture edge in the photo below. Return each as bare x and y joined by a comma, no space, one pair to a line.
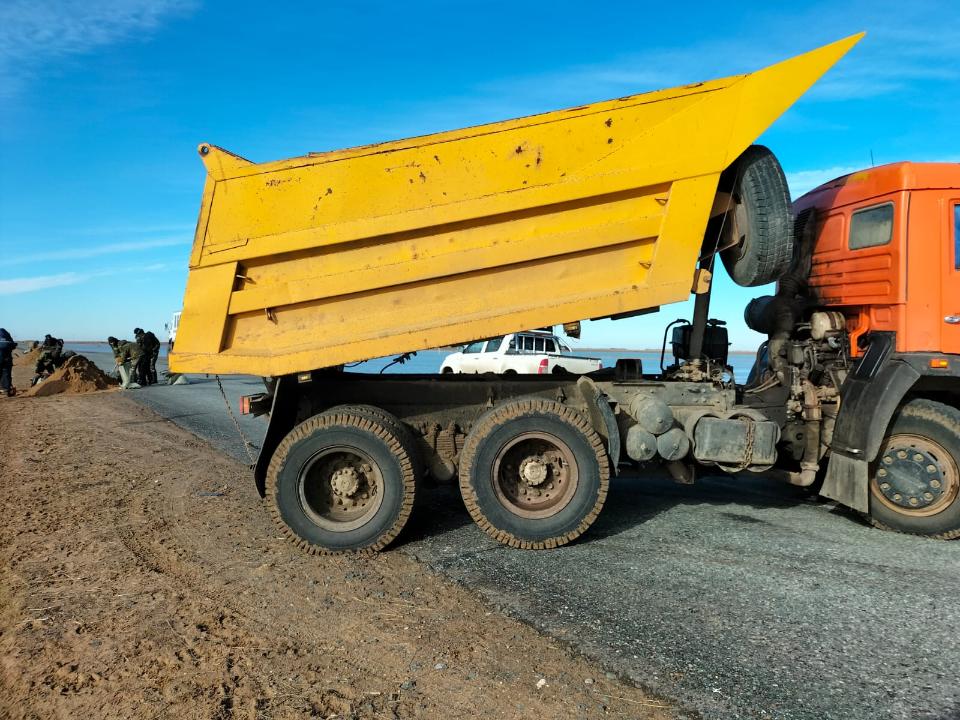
915,481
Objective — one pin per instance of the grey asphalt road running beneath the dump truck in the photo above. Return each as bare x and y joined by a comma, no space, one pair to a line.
736,597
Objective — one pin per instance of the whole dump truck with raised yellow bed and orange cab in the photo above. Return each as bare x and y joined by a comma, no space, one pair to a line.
302,267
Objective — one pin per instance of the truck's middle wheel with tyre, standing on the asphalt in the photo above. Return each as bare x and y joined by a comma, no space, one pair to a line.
533,474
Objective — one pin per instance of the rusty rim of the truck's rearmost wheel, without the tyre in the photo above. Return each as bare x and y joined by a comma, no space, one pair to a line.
340,488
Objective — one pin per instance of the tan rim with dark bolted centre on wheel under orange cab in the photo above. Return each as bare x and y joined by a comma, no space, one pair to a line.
915,476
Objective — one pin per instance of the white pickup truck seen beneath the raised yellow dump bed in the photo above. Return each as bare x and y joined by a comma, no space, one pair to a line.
530,353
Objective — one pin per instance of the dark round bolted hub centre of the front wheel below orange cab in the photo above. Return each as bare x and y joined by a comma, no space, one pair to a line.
910,477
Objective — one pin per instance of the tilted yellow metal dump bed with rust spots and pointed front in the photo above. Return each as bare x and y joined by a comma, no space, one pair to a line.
437,240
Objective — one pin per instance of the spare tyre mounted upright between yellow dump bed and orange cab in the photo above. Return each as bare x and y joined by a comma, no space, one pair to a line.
763,252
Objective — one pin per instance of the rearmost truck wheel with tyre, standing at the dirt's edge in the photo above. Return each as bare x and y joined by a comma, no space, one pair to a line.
341,482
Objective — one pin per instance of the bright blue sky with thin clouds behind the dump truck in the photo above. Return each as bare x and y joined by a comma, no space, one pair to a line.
102,105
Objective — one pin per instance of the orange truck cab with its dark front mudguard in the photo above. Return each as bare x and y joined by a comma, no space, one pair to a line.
886,255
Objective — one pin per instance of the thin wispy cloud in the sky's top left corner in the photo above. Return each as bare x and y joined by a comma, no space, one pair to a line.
34,32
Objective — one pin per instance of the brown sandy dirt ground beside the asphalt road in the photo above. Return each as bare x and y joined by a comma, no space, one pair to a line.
140,577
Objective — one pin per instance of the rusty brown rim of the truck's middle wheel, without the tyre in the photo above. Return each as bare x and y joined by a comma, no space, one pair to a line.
535,475
